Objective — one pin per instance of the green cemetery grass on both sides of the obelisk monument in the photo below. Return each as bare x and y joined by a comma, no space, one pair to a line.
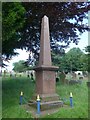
11,88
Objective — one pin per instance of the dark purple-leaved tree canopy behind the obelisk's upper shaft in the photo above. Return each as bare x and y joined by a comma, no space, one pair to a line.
66,18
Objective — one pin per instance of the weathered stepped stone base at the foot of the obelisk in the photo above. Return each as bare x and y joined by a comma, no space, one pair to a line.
47,102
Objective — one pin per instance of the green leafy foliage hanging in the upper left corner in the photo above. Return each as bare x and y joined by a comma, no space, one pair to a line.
12,23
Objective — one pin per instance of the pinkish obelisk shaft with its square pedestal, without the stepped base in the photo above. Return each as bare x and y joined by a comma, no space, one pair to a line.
45,72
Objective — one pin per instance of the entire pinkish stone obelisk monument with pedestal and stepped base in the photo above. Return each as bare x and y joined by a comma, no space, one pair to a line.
45,73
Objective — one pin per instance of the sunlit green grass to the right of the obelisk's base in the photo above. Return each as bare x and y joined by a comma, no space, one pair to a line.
80,101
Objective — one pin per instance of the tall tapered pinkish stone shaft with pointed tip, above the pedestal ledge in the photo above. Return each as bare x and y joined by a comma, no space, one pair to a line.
45,51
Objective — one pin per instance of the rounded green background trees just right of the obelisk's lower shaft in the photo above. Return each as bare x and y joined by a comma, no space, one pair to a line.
73,60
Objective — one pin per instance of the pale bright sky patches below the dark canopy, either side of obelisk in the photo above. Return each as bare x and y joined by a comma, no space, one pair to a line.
23,55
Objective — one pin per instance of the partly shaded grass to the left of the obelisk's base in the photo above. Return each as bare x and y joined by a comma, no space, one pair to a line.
11,88
